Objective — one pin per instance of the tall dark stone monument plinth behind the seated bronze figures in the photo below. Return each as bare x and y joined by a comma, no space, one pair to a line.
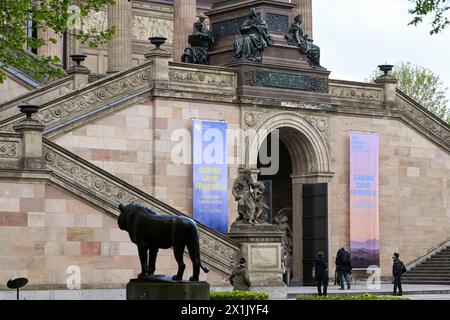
285,72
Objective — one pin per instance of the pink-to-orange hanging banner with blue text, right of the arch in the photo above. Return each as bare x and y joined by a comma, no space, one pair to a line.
364,199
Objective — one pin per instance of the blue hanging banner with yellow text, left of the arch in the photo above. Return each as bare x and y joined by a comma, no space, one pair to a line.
210,174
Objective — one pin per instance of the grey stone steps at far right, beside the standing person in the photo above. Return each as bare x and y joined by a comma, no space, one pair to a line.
433,270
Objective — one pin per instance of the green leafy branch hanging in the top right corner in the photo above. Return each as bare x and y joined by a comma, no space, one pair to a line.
438,8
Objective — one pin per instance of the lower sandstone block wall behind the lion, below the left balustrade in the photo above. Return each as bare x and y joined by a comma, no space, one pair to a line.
43,231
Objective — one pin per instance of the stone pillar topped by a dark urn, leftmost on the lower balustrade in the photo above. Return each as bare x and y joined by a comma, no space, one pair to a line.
31,144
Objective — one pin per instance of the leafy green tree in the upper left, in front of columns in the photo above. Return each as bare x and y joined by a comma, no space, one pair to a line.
59,15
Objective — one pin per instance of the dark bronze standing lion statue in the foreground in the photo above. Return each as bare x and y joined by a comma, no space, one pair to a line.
151,231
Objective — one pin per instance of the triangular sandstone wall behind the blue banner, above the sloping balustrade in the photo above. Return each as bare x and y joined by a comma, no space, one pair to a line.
126,145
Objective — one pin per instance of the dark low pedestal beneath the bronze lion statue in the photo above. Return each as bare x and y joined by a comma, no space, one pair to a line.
162,288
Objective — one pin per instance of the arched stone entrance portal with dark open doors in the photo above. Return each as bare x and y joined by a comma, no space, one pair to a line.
299,189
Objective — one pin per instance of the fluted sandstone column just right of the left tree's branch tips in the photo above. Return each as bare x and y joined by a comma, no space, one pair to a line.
119,47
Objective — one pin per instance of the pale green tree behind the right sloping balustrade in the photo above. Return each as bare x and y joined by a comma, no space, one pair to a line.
424,86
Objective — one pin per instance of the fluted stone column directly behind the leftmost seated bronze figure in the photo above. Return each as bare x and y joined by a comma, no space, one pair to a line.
184,15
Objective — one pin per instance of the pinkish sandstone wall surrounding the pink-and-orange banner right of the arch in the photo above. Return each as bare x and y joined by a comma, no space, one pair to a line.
414,189
